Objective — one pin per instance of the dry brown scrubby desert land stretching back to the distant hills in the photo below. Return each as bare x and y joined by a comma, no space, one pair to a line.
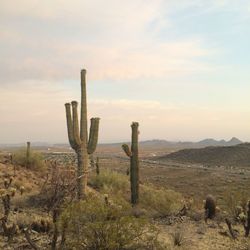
174,184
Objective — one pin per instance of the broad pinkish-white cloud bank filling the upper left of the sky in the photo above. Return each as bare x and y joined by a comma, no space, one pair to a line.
114,40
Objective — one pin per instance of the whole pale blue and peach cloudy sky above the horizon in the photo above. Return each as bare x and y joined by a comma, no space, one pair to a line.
179,68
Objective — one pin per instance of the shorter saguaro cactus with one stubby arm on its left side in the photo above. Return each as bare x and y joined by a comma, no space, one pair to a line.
134,163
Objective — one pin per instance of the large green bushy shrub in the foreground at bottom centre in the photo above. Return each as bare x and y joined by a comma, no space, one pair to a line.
94,224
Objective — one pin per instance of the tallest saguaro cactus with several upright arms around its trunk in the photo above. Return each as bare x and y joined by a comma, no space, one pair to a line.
78,138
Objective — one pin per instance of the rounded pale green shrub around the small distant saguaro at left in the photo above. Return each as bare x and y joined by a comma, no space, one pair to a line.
36,159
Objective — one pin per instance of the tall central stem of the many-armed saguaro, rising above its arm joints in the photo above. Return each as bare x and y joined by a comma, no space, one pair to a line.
83,122
